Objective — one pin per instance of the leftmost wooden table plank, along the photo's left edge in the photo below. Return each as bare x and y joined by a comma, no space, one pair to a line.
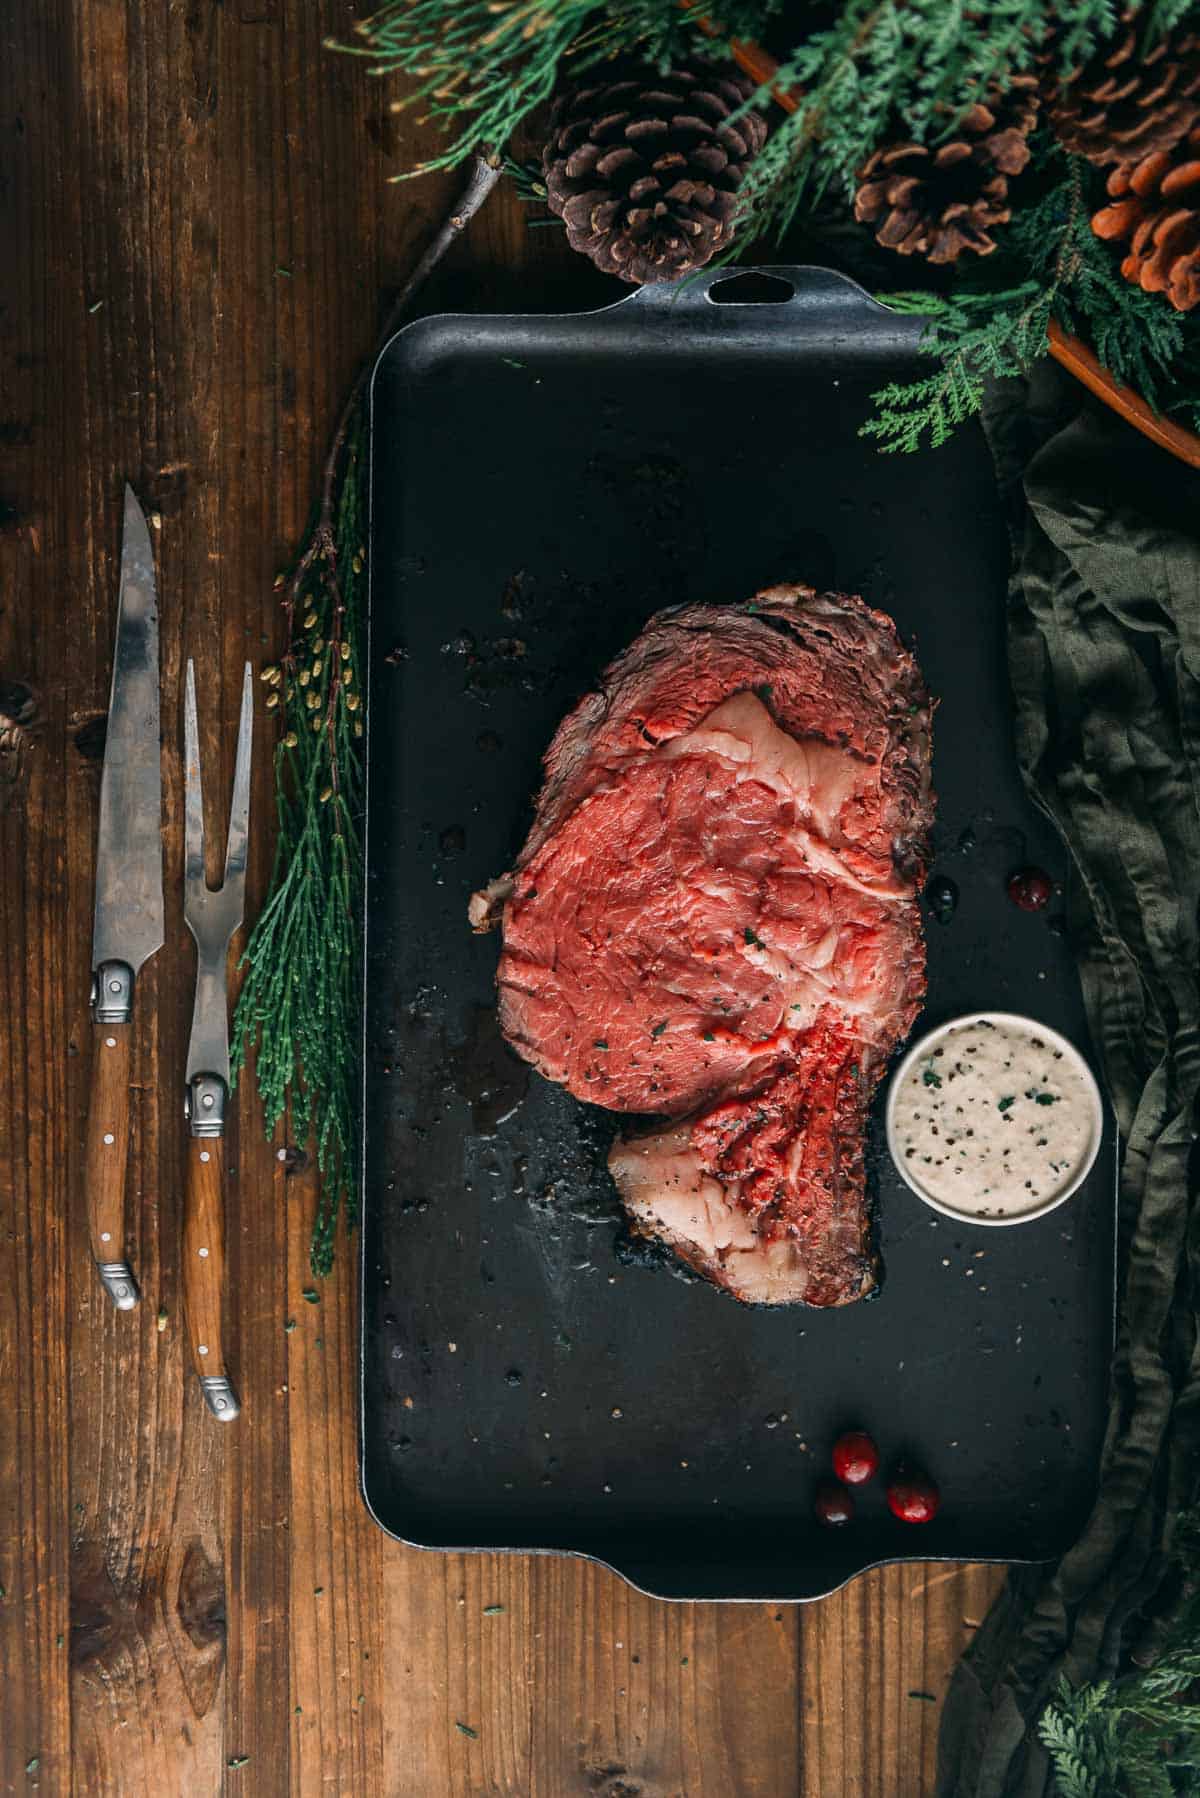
35,1740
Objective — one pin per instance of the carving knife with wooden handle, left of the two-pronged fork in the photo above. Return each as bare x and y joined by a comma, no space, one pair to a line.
129,896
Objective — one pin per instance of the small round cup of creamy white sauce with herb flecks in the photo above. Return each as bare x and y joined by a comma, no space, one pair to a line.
994,1121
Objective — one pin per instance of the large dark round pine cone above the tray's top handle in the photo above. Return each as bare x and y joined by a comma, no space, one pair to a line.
645,168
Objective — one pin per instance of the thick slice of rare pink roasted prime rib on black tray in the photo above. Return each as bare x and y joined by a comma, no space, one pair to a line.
715,923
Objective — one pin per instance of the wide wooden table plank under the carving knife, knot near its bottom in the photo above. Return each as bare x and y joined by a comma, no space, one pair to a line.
148,1590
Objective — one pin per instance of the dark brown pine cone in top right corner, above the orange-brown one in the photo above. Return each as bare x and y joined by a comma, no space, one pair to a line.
1125,105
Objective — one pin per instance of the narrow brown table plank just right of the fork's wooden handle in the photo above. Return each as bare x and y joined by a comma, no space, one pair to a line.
251,494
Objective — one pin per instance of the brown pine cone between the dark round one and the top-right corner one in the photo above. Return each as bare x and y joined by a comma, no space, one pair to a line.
944,200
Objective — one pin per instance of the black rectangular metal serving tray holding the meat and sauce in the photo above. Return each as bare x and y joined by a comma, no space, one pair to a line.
542,486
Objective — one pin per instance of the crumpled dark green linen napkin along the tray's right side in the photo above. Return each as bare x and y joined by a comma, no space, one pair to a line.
1106,670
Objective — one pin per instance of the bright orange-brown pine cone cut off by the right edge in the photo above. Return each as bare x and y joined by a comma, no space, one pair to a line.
1158,215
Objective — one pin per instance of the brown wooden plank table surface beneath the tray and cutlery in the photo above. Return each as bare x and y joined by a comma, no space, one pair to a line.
197,247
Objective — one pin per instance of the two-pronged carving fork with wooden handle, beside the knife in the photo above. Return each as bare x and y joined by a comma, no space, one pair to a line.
213,916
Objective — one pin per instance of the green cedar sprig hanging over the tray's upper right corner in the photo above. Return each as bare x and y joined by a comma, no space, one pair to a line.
996,319
